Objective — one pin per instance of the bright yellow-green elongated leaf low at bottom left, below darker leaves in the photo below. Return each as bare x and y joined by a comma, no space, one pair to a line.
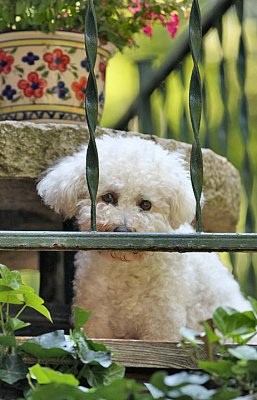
45,375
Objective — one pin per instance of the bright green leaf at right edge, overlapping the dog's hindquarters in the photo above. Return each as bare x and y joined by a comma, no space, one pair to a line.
231,322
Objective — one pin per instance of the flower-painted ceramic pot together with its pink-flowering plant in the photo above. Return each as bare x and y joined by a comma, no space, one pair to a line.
43,74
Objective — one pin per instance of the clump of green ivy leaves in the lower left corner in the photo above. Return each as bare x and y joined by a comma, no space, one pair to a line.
76,358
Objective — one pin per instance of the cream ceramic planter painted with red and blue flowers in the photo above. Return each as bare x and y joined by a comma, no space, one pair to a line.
43,76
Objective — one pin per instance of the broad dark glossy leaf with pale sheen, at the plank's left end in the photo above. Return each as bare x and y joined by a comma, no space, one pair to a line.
53,344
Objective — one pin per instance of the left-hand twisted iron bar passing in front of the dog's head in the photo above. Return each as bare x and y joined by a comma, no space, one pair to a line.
91,109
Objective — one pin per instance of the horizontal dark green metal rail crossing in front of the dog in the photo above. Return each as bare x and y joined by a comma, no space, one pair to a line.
70,241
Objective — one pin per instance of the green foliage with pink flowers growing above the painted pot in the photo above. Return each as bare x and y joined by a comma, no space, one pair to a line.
117,20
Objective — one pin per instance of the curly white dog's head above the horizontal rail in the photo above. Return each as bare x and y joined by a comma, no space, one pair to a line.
142,187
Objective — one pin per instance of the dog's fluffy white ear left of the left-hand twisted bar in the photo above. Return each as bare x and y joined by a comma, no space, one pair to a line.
64,184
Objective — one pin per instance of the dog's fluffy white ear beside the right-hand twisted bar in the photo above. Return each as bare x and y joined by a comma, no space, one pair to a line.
182,199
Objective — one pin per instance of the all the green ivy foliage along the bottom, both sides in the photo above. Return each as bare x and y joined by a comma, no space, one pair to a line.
83,369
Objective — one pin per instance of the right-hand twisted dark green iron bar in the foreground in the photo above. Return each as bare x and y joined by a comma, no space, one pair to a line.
195,106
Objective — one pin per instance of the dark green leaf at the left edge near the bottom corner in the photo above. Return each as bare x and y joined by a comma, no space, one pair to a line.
12,369
